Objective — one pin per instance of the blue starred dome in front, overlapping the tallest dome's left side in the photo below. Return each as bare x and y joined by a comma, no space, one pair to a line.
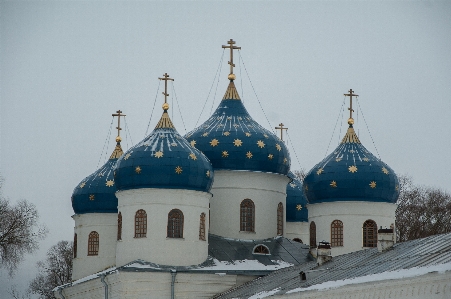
164,159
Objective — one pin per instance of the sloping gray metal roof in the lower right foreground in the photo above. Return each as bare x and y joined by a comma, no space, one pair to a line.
417,253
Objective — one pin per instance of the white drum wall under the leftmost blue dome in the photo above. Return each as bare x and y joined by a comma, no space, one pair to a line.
105,224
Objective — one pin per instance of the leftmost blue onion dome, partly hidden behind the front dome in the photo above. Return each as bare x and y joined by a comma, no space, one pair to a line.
96,193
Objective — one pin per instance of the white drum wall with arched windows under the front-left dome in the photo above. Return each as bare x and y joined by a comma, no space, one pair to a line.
156,247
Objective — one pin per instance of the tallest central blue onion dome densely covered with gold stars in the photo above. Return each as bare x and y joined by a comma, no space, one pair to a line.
232,140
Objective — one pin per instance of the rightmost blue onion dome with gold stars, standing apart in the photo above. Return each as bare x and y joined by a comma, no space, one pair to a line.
351,173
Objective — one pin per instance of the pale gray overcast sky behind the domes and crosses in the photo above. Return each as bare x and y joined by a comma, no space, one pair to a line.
67,66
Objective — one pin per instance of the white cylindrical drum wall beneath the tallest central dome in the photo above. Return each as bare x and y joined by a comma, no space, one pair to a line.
230,188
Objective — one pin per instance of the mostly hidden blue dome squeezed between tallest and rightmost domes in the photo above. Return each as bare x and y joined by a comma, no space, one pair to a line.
296,201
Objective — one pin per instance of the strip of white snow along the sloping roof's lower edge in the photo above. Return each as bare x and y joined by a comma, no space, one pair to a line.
389,275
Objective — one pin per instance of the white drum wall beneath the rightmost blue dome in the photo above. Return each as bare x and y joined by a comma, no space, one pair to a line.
353,214
